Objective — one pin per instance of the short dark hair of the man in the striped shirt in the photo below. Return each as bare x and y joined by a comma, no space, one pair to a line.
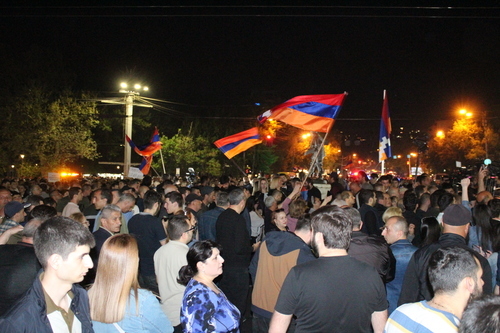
449,266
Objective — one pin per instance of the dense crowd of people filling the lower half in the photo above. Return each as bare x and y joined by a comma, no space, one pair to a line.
365,254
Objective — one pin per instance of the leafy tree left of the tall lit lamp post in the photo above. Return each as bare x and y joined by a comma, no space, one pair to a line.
50,129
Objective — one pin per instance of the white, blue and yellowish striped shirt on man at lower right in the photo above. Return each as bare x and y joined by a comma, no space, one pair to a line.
421,318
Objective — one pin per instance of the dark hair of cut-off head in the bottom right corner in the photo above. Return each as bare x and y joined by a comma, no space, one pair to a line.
481,315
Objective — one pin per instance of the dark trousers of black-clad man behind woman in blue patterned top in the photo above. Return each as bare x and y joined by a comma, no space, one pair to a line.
235,285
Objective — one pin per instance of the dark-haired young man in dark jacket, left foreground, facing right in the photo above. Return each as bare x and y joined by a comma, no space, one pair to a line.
55,303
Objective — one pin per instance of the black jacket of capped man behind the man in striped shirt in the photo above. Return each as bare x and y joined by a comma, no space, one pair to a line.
416,286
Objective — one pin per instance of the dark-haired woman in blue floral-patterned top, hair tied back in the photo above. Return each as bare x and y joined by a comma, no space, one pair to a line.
205,308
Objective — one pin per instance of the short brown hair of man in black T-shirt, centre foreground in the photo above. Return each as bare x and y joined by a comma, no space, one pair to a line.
335,226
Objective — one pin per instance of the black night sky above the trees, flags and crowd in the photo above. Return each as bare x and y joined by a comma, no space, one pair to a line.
430,61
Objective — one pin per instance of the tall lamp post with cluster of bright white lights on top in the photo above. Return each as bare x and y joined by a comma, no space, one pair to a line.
129,101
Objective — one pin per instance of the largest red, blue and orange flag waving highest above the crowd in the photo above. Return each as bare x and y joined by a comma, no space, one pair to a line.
309,112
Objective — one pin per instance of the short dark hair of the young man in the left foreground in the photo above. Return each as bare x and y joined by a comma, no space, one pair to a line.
60,235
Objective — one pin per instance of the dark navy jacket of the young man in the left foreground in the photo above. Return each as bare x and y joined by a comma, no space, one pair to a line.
29,315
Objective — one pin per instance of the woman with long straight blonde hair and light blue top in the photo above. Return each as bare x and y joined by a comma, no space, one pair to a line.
116,302
